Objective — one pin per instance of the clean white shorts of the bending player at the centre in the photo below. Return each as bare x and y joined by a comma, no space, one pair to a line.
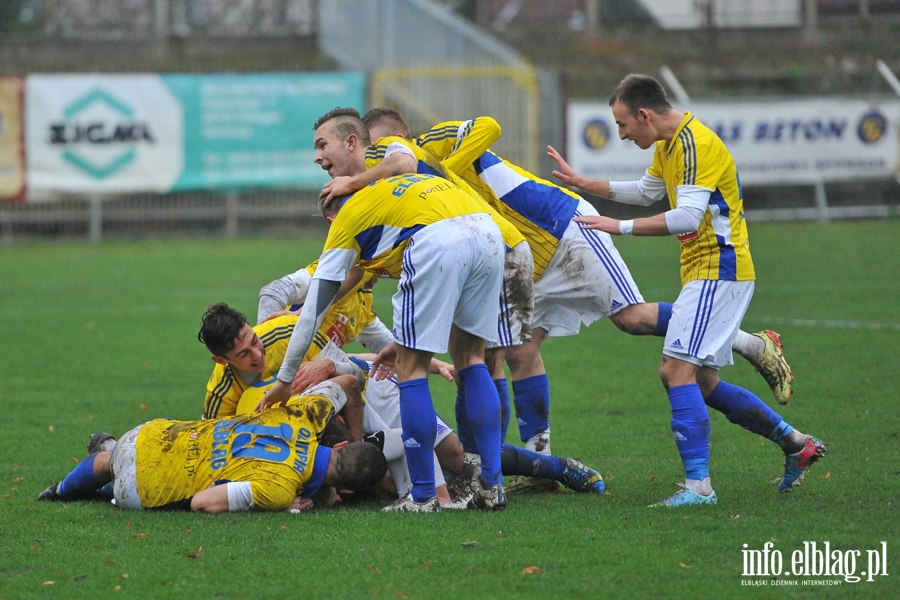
452,275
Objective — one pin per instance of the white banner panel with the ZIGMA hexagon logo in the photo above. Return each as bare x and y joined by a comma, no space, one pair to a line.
102,134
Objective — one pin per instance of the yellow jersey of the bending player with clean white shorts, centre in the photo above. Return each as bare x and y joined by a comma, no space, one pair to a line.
374,225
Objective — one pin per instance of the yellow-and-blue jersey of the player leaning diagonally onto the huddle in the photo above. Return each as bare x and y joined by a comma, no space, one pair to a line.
539,209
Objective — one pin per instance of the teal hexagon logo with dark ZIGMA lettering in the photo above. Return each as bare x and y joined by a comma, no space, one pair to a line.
100,134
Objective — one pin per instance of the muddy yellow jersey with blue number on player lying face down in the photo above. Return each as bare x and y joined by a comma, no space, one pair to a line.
276,451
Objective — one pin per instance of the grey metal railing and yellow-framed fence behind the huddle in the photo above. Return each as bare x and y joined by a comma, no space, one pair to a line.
433,66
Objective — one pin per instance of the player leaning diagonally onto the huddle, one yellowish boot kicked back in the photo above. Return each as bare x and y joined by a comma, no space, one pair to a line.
565,298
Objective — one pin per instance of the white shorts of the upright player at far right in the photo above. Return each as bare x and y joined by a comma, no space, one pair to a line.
705,318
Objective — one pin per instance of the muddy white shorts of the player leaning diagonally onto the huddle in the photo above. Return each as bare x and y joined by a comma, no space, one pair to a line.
585,281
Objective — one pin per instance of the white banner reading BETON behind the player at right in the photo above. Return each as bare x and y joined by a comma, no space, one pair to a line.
797,141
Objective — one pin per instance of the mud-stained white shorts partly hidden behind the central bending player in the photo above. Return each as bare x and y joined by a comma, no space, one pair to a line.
516,299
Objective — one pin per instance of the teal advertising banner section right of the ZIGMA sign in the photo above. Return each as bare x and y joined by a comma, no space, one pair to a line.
256,130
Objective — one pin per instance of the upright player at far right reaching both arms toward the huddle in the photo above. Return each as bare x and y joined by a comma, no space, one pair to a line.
693,168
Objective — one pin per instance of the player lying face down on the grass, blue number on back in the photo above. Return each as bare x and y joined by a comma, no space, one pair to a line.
258,461
